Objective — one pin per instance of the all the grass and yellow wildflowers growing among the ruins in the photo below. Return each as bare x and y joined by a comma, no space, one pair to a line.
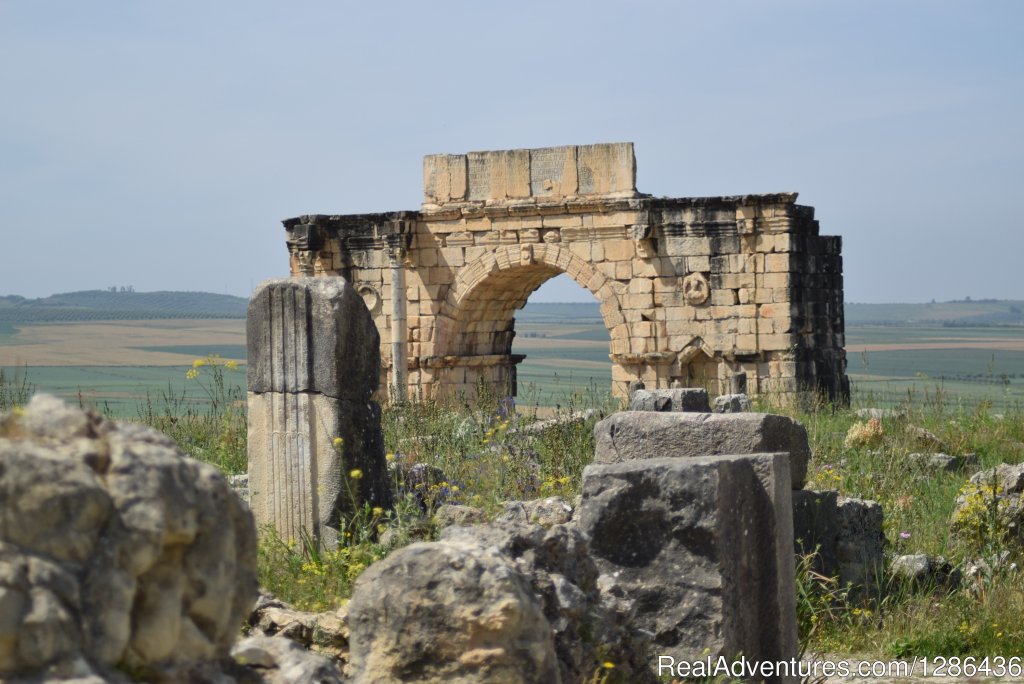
490,454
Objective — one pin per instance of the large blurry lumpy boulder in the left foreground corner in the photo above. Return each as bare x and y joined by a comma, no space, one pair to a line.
115,550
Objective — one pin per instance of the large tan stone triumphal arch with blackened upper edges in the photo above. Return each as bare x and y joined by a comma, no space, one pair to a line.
693,291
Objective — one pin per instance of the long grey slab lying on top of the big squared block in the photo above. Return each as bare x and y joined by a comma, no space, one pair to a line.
643,435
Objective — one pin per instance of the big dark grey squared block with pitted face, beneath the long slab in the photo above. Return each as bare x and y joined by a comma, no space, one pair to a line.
702,548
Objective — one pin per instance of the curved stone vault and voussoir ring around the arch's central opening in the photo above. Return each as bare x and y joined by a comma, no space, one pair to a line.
476,325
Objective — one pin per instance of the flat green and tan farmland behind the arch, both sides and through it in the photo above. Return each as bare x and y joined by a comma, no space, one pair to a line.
115,364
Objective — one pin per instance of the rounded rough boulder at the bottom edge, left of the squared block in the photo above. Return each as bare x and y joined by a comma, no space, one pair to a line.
449,612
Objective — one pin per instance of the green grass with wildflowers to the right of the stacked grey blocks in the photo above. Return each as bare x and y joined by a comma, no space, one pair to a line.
873,460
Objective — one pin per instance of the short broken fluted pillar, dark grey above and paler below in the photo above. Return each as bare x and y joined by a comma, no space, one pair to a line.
316,450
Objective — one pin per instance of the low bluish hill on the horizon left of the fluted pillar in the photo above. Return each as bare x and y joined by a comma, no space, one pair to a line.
106,306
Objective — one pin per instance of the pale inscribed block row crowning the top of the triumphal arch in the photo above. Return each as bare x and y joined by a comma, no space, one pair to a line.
490,178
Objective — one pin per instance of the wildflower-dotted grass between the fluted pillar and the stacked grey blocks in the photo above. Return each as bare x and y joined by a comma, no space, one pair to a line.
484,455
